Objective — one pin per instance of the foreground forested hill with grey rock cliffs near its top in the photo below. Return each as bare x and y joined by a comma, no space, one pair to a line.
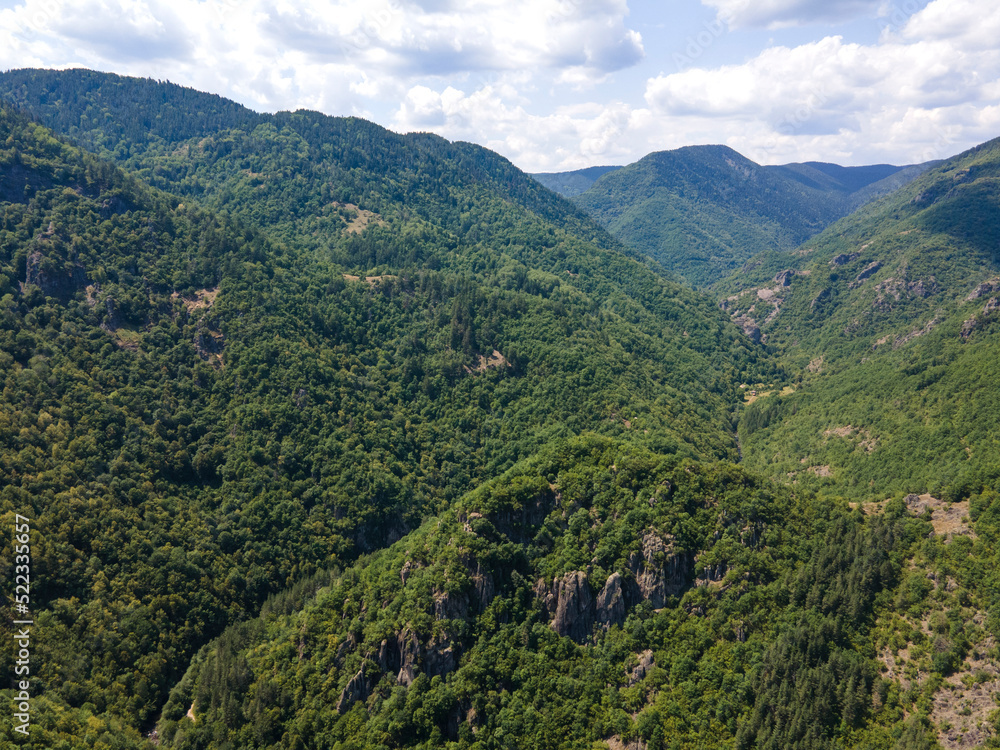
595,596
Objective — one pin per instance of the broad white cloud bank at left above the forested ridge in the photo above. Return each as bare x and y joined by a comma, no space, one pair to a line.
343,57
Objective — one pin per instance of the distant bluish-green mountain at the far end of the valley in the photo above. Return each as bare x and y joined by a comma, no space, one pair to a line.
704,210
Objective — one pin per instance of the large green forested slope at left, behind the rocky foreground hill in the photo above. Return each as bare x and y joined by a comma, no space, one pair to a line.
196,415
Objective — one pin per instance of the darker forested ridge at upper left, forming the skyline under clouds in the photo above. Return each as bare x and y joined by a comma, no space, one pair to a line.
303,175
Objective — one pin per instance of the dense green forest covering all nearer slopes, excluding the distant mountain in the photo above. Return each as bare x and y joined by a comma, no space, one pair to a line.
332,437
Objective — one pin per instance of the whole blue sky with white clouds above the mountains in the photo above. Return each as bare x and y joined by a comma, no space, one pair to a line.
557,85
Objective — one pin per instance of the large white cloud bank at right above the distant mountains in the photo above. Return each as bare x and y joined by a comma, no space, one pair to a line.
925,91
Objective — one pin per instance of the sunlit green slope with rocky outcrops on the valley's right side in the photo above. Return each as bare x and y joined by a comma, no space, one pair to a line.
890,316
